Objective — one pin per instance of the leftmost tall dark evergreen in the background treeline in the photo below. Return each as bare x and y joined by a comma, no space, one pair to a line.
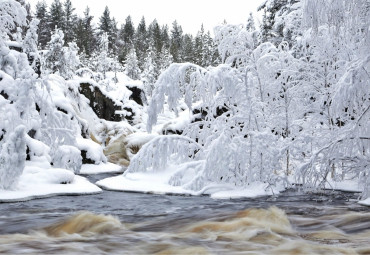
43,27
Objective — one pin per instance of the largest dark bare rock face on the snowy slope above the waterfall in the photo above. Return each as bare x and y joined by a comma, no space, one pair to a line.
103,106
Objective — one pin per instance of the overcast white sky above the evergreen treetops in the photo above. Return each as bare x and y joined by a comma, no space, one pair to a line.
190,14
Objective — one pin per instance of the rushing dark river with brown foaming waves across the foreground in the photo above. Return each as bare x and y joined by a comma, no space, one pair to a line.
132,223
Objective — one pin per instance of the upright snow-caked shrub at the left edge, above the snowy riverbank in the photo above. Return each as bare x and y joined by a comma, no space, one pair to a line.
12,158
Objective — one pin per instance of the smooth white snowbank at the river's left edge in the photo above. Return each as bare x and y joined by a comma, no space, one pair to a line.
39,182
